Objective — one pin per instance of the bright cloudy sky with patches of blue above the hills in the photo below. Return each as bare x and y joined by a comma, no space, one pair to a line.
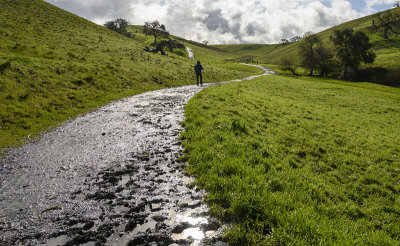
229,21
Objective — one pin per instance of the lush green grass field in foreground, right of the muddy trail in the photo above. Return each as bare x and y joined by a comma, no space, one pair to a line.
299,161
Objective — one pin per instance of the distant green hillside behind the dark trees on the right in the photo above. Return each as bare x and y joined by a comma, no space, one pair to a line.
387,51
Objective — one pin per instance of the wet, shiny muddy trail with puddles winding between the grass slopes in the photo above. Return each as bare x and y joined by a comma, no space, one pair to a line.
109,177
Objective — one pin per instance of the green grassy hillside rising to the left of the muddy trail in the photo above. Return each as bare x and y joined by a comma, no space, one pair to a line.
55,65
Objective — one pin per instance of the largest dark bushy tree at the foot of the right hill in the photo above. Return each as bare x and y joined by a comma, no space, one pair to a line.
352,49
